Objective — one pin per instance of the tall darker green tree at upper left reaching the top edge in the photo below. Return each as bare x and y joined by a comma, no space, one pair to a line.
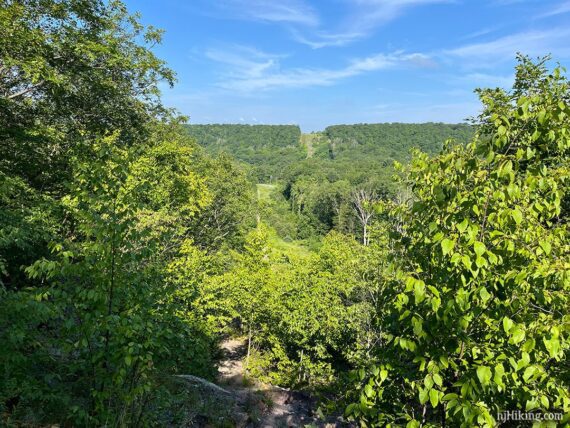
69,71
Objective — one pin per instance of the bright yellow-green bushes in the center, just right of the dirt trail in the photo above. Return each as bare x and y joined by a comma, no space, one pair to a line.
298,313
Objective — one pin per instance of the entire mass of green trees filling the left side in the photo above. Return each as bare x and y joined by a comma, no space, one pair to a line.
98,191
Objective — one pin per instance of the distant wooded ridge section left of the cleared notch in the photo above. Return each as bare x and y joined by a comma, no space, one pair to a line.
268,148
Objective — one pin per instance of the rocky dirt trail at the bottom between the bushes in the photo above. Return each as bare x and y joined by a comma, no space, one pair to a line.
267,406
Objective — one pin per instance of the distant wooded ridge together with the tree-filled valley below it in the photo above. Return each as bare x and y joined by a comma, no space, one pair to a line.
319,173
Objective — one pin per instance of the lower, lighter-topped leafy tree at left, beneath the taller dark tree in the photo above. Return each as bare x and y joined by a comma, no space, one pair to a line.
111,329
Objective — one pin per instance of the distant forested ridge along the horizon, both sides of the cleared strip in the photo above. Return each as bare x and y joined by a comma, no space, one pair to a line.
355,153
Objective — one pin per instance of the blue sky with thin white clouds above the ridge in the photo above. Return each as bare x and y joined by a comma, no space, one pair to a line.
317,63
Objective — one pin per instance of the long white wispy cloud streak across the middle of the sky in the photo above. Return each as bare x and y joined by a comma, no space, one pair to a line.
261,71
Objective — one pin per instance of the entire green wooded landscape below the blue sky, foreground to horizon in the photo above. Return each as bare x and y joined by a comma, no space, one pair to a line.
389,274
